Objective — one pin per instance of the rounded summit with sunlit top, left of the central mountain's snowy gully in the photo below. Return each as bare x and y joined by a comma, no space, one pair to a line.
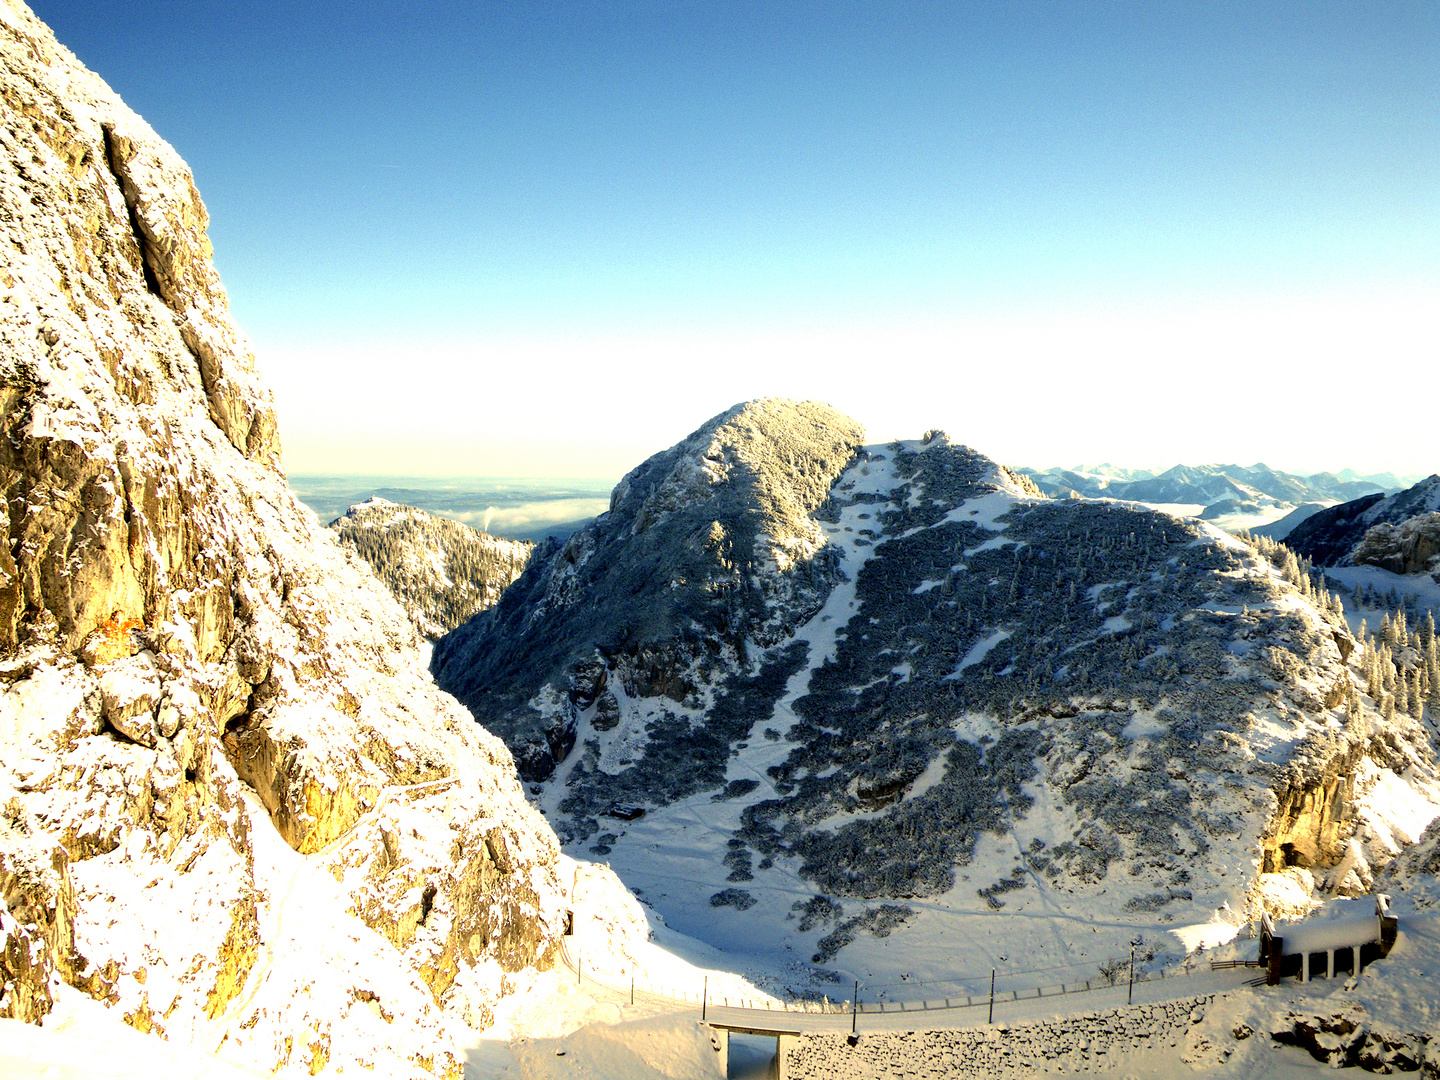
709,549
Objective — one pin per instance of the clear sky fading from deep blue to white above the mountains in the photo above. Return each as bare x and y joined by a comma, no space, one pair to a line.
554,238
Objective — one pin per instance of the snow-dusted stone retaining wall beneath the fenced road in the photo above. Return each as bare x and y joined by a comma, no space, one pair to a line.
1074,1043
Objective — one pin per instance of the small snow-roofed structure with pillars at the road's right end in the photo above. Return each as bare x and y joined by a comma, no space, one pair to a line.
1340,942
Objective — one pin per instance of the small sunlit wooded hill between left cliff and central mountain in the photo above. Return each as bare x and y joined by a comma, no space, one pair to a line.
440,571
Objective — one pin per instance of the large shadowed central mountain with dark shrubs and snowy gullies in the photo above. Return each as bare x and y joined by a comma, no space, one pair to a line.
1003,731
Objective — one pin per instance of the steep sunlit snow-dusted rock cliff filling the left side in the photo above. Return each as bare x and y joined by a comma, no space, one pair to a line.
233,804
